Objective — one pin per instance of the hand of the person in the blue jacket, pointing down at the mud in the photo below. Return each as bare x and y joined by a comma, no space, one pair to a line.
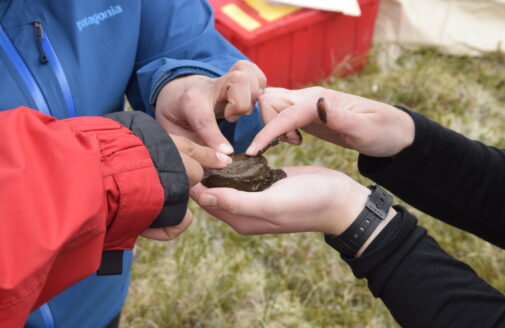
188,106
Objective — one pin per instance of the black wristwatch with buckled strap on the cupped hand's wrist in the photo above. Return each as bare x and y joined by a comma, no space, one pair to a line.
352,239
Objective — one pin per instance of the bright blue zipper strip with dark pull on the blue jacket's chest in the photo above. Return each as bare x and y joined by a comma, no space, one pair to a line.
47,53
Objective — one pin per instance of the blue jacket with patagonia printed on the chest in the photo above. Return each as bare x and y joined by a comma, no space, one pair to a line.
72,58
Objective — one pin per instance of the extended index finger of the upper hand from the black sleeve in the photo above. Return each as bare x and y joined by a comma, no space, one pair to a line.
290,119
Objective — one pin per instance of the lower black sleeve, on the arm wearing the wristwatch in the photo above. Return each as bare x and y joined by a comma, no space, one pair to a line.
423,286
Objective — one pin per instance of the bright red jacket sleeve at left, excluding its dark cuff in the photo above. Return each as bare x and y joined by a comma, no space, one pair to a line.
69,190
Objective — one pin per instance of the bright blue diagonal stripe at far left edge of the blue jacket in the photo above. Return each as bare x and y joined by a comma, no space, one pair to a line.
24,72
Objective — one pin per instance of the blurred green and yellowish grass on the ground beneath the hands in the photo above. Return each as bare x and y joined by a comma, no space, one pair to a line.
212,277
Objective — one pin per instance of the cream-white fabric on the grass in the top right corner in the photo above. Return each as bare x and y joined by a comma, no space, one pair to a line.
455,26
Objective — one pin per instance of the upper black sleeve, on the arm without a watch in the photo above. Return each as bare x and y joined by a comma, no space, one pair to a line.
448,176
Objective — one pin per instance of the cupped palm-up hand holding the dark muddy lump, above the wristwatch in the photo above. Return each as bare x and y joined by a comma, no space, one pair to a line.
309,199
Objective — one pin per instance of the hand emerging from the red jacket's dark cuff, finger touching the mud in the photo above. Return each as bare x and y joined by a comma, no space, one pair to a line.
194,157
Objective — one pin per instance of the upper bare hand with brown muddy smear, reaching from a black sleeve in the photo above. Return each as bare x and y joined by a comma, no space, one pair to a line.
370,127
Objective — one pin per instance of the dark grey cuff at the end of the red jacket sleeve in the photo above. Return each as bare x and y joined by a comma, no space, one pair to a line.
167,161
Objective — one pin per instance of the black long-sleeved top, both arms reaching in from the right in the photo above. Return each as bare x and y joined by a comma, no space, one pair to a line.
458,181
